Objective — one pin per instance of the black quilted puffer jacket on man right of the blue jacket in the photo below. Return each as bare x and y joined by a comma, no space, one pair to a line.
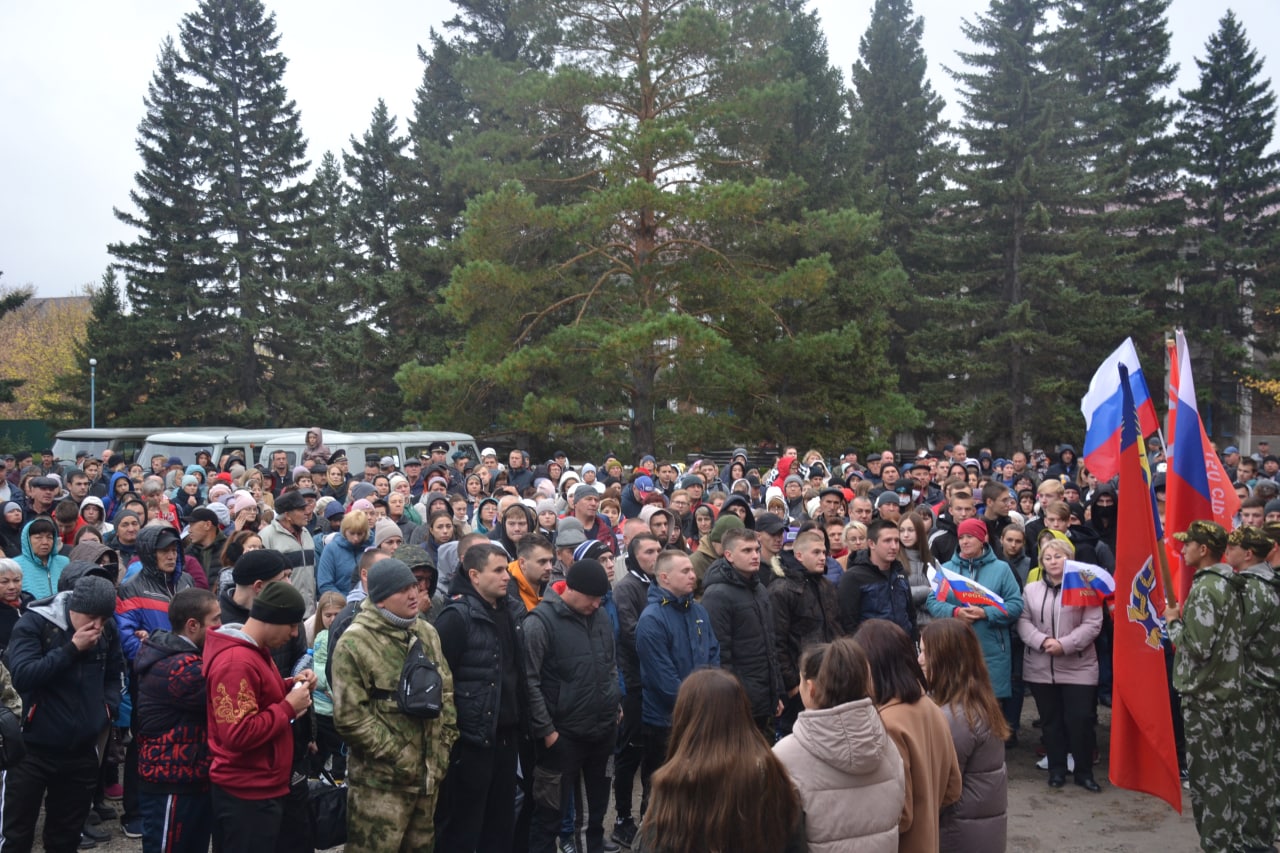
743,622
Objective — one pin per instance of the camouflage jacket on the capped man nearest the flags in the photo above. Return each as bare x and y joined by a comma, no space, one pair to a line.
1209,664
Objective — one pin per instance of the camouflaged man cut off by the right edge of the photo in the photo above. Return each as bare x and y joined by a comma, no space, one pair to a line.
1260,708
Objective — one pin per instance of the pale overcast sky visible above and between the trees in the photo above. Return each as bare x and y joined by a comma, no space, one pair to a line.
74,76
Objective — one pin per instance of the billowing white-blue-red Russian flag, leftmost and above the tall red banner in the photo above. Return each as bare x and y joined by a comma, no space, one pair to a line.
1104,410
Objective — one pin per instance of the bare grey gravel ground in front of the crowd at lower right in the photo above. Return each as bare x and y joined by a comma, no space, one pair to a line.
1068,820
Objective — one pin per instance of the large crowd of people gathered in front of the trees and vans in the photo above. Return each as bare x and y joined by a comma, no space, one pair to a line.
472,647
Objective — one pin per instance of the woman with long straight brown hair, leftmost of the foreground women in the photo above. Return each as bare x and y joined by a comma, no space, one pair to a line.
723,790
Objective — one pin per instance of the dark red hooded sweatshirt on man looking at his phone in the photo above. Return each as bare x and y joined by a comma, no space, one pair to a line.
250,738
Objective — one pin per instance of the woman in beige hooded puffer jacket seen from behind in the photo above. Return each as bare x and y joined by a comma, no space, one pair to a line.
839,750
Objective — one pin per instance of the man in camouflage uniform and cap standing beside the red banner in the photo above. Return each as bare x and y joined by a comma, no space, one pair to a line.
1208,673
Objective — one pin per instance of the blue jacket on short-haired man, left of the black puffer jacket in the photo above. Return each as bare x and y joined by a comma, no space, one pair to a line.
674,638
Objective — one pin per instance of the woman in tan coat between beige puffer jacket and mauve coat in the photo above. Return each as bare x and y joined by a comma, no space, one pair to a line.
917,727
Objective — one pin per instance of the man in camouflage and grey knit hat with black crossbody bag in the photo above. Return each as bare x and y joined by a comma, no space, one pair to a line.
396,761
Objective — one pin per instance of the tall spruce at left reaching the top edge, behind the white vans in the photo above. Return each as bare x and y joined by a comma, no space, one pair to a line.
252,158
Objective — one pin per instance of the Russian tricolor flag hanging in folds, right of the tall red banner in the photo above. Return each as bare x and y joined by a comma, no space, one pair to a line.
1196,482
